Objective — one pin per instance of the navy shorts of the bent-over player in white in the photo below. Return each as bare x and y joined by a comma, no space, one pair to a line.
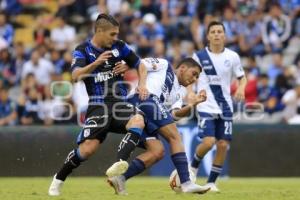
155,113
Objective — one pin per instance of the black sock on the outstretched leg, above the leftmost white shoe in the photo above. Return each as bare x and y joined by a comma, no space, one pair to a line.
72,161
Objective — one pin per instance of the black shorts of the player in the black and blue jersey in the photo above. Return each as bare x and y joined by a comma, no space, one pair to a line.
103,118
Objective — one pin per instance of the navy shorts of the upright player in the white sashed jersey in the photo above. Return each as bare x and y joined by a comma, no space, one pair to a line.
215,125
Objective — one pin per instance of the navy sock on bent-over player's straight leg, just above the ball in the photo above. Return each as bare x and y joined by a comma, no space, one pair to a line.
181,165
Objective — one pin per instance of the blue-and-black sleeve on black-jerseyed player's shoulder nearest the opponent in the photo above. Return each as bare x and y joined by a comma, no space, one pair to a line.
128,55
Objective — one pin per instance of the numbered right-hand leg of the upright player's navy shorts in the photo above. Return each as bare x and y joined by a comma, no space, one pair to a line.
224,129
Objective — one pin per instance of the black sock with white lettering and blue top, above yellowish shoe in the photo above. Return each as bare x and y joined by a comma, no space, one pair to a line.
128,143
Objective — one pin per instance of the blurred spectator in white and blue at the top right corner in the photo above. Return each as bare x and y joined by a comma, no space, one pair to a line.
276,29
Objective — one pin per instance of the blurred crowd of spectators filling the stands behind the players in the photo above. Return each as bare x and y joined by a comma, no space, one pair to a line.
35,79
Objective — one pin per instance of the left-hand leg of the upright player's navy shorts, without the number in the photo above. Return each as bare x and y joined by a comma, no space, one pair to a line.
206,125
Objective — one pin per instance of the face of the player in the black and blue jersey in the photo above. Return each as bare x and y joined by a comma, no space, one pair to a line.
108,37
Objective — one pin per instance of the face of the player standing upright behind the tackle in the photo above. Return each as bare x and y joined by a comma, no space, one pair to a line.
216,35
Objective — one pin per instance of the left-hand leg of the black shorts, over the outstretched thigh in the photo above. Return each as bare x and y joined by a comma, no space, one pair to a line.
96,126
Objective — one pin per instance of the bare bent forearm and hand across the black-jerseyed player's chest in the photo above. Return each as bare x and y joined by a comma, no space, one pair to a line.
79,73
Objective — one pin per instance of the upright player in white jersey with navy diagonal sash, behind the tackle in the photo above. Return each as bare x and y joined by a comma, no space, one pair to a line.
219,66
